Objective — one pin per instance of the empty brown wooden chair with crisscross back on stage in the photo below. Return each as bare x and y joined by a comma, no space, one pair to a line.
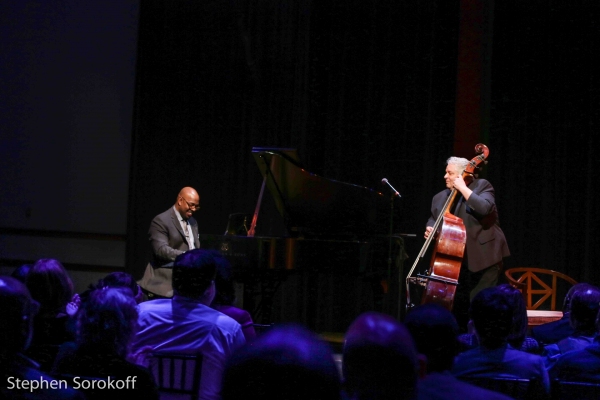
537,285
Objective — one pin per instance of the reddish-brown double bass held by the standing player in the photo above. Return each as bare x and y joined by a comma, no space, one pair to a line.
450,237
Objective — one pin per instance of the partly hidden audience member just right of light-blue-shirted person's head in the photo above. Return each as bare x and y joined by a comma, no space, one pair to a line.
225,297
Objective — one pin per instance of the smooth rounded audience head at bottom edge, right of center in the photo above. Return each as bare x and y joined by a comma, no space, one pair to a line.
379,359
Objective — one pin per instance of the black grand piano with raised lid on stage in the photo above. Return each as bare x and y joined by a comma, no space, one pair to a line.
336,259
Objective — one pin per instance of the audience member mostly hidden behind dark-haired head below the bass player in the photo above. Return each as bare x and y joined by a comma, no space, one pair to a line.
518,338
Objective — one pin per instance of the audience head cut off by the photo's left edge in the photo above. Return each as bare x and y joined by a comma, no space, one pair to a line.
18,310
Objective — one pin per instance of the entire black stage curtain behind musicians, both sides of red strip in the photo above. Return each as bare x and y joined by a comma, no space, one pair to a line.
366,90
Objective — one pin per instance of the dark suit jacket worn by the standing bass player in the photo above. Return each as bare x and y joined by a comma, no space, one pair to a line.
486,244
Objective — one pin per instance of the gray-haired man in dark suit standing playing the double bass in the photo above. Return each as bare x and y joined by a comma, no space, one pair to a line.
485,245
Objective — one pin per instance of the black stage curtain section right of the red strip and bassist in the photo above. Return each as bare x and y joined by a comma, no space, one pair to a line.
545,117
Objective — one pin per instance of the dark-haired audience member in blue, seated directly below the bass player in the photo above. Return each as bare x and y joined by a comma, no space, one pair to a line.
492,317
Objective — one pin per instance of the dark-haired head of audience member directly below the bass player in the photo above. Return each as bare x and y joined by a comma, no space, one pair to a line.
492,316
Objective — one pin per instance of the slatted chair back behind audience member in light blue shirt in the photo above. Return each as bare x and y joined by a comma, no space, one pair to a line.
177,375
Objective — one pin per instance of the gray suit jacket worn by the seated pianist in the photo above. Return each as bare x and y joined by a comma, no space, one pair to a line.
167,241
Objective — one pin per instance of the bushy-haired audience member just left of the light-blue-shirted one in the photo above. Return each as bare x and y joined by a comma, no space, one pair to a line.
106,325
